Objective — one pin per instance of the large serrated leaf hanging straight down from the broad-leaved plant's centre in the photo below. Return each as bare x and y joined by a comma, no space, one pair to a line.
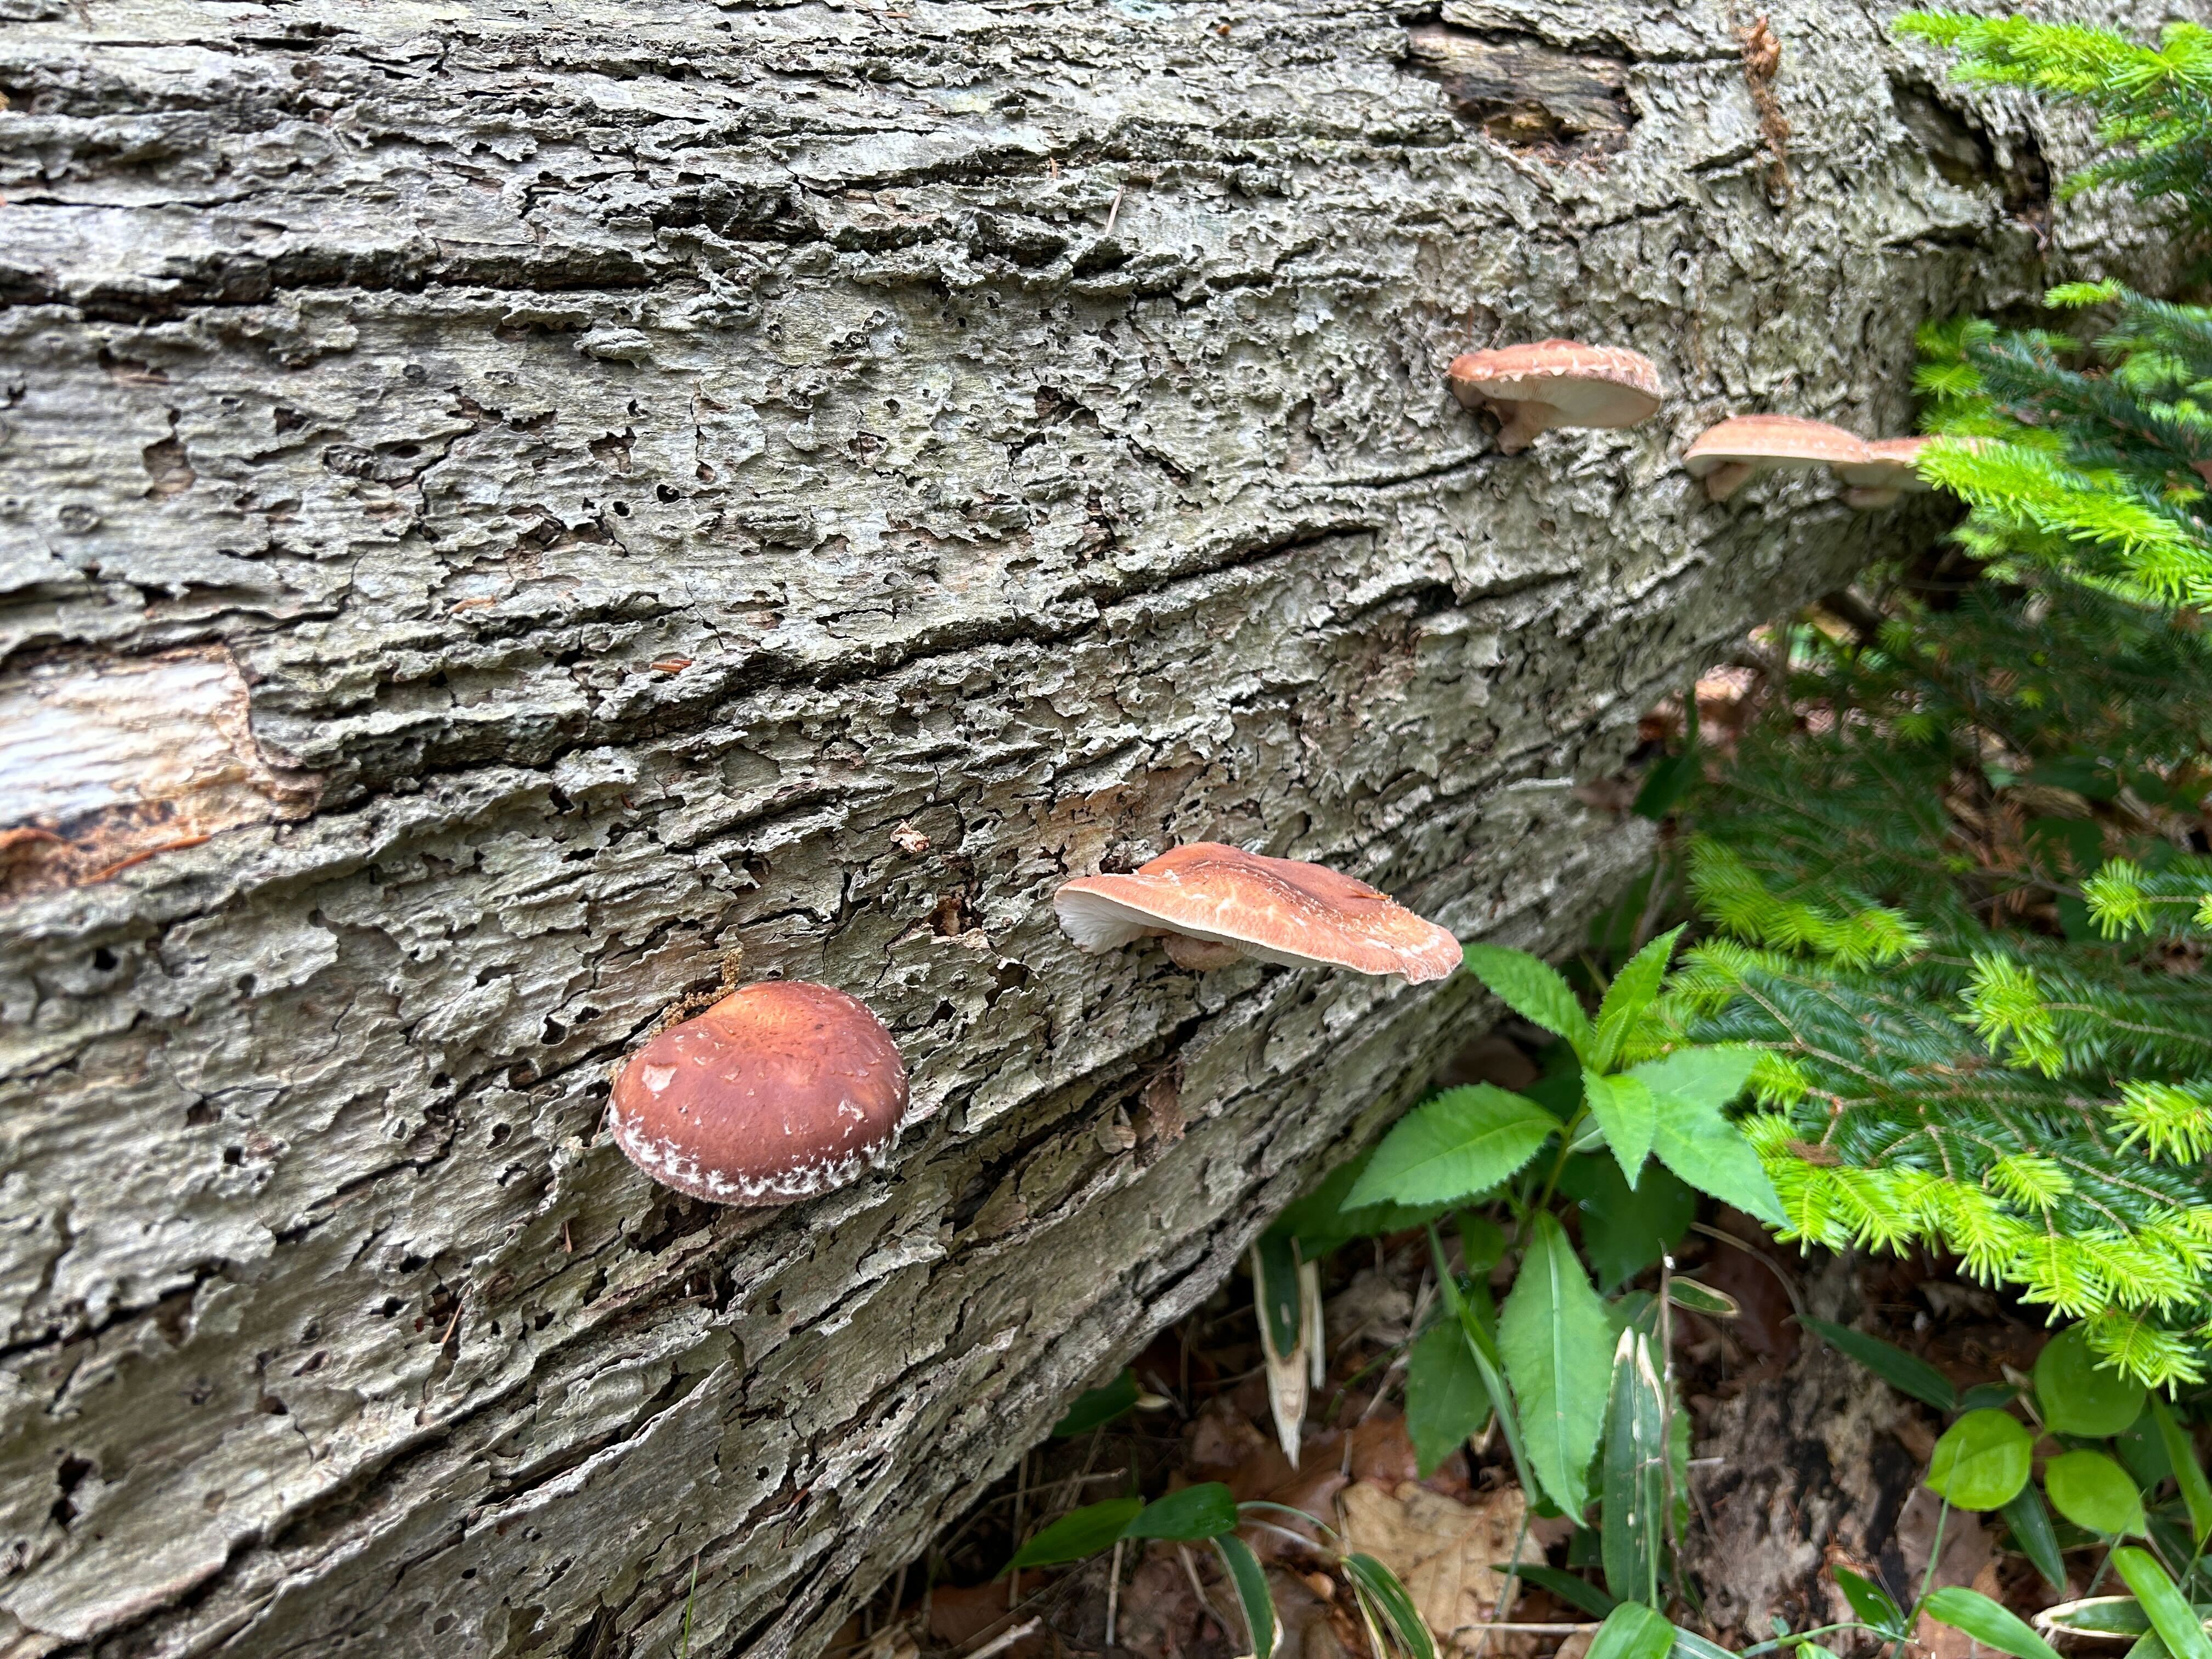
1547,1333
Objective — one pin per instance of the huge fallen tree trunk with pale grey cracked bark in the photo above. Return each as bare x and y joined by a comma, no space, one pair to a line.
508,501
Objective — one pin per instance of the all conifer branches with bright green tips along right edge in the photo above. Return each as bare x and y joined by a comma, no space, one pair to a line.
1961,873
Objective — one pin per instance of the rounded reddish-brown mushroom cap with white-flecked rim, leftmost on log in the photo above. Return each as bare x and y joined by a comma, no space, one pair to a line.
775,1094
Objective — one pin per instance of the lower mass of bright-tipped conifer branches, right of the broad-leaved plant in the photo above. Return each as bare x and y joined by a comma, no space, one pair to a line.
1952,1050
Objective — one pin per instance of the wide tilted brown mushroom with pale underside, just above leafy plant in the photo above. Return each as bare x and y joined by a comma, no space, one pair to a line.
1282,910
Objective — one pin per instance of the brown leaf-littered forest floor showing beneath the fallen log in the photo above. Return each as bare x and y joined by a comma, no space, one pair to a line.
1802,1461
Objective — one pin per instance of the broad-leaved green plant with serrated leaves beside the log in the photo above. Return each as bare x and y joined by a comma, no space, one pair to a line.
1631,1118
